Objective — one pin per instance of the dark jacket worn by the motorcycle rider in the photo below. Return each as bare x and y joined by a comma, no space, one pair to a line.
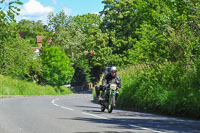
107,79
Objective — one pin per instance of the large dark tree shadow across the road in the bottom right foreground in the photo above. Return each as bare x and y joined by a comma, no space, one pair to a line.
157,125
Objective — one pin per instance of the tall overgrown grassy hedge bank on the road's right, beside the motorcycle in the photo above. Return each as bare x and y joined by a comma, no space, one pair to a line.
170,89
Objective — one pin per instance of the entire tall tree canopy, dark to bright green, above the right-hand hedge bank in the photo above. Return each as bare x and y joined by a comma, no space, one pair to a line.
152,29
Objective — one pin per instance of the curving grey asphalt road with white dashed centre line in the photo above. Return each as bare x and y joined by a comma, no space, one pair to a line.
78,113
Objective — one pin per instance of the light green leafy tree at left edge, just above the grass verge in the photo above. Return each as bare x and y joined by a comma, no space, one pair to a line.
17,59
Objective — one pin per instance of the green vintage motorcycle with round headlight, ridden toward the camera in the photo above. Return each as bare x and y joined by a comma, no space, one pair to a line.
109,97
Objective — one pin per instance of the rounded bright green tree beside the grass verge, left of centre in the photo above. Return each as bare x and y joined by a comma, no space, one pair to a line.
57,68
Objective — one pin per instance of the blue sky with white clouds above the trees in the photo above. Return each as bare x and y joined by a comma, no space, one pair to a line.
39,9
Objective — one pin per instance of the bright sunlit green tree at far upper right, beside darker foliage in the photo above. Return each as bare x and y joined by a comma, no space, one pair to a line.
171,34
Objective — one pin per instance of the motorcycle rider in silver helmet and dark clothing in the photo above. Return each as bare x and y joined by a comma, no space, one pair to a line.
109,78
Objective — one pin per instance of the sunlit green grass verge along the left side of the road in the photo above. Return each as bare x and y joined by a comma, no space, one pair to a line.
9,86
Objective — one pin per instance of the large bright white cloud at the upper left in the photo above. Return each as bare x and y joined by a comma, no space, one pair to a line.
35,8
